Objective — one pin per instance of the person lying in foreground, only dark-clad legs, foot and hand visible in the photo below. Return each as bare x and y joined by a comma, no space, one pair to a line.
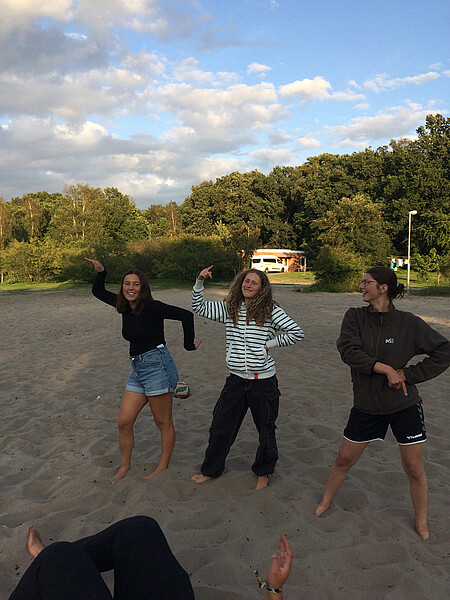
138,552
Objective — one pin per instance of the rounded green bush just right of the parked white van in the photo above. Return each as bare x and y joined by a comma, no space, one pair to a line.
337,270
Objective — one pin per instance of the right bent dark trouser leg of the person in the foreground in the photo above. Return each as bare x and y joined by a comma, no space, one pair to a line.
144,566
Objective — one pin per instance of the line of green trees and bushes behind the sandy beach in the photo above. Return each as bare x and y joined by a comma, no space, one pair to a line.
340,209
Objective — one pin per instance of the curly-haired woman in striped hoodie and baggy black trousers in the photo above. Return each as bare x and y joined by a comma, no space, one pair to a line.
254,324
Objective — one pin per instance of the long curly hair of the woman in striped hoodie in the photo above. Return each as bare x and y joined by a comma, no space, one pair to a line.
259,308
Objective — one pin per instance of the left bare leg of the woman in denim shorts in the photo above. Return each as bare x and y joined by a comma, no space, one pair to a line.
131,405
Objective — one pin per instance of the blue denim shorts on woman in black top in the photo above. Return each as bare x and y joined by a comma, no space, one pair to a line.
153,373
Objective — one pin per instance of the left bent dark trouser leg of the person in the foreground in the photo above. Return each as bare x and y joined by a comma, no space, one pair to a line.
62,571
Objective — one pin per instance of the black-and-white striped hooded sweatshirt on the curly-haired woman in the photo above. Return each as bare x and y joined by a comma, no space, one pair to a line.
246,356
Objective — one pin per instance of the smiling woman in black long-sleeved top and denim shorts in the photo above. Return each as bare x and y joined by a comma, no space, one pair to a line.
154,374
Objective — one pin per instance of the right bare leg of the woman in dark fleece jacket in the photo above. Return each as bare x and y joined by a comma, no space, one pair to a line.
412,462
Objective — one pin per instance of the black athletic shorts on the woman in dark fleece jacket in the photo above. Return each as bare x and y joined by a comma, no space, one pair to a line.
407,425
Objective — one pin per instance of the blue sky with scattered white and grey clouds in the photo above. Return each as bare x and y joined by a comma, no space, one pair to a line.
153,97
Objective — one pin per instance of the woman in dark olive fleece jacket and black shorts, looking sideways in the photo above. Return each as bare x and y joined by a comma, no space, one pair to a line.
377,342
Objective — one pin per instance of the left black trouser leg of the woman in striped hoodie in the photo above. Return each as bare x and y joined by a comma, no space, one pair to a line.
228,415
